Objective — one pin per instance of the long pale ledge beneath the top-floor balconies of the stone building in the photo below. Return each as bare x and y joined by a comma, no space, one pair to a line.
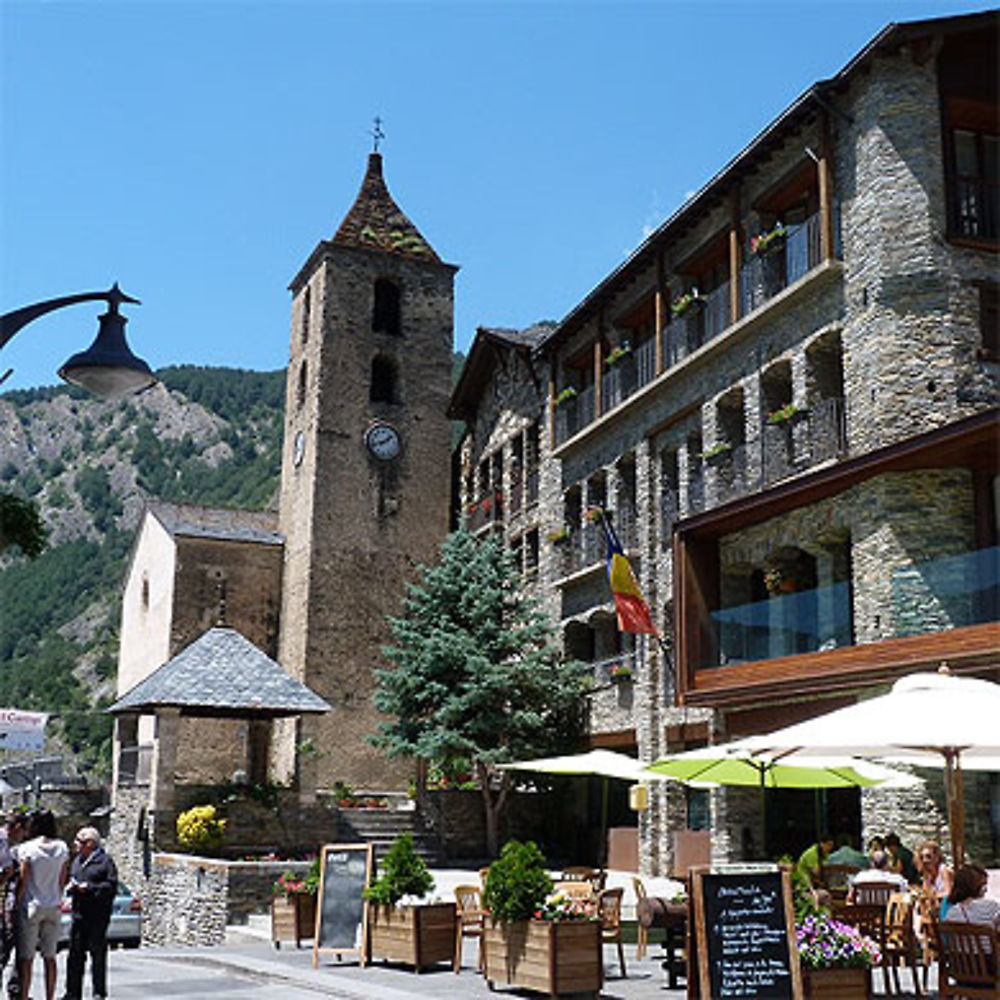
767,312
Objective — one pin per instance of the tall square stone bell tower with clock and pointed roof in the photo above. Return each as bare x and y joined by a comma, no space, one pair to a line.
365,472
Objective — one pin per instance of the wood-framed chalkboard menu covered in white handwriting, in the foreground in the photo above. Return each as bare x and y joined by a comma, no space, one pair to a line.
745,925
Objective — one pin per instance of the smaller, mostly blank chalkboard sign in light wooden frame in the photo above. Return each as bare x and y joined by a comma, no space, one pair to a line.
341,915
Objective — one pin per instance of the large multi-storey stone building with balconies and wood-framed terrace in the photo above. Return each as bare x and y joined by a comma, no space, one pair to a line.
786,397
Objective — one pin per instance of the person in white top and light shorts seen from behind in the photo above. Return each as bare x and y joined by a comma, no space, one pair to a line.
44,866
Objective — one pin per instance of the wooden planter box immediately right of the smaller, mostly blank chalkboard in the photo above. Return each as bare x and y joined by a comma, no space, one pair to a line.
417,935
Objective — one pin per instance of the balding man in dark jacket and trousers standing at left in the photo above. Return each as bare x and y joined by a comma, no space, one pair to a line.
93,883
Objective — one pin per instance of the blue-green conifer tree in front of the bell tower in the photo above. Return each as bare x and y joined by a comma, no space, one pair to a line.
476,673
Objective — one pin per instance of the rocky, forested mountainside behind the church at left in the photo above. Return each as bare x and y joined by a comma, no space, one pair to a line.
204,435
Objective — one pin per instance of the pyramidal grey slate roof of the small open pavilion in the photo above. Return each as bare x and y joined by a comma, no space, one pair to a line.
221,673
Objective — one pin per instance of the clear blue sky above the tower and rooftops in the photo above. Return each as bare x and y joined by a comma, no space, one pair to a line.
197,152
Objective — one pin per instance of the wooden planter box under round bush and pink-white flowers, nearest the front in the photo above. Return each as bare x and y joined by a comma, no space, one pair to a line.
551,956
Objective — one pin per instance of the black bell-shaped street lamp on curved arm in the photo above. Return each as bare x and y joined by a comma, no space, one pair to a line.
107,368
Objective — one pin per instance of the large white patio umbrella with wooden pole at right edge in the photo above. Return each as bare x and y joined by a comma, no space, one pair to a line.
932,720
